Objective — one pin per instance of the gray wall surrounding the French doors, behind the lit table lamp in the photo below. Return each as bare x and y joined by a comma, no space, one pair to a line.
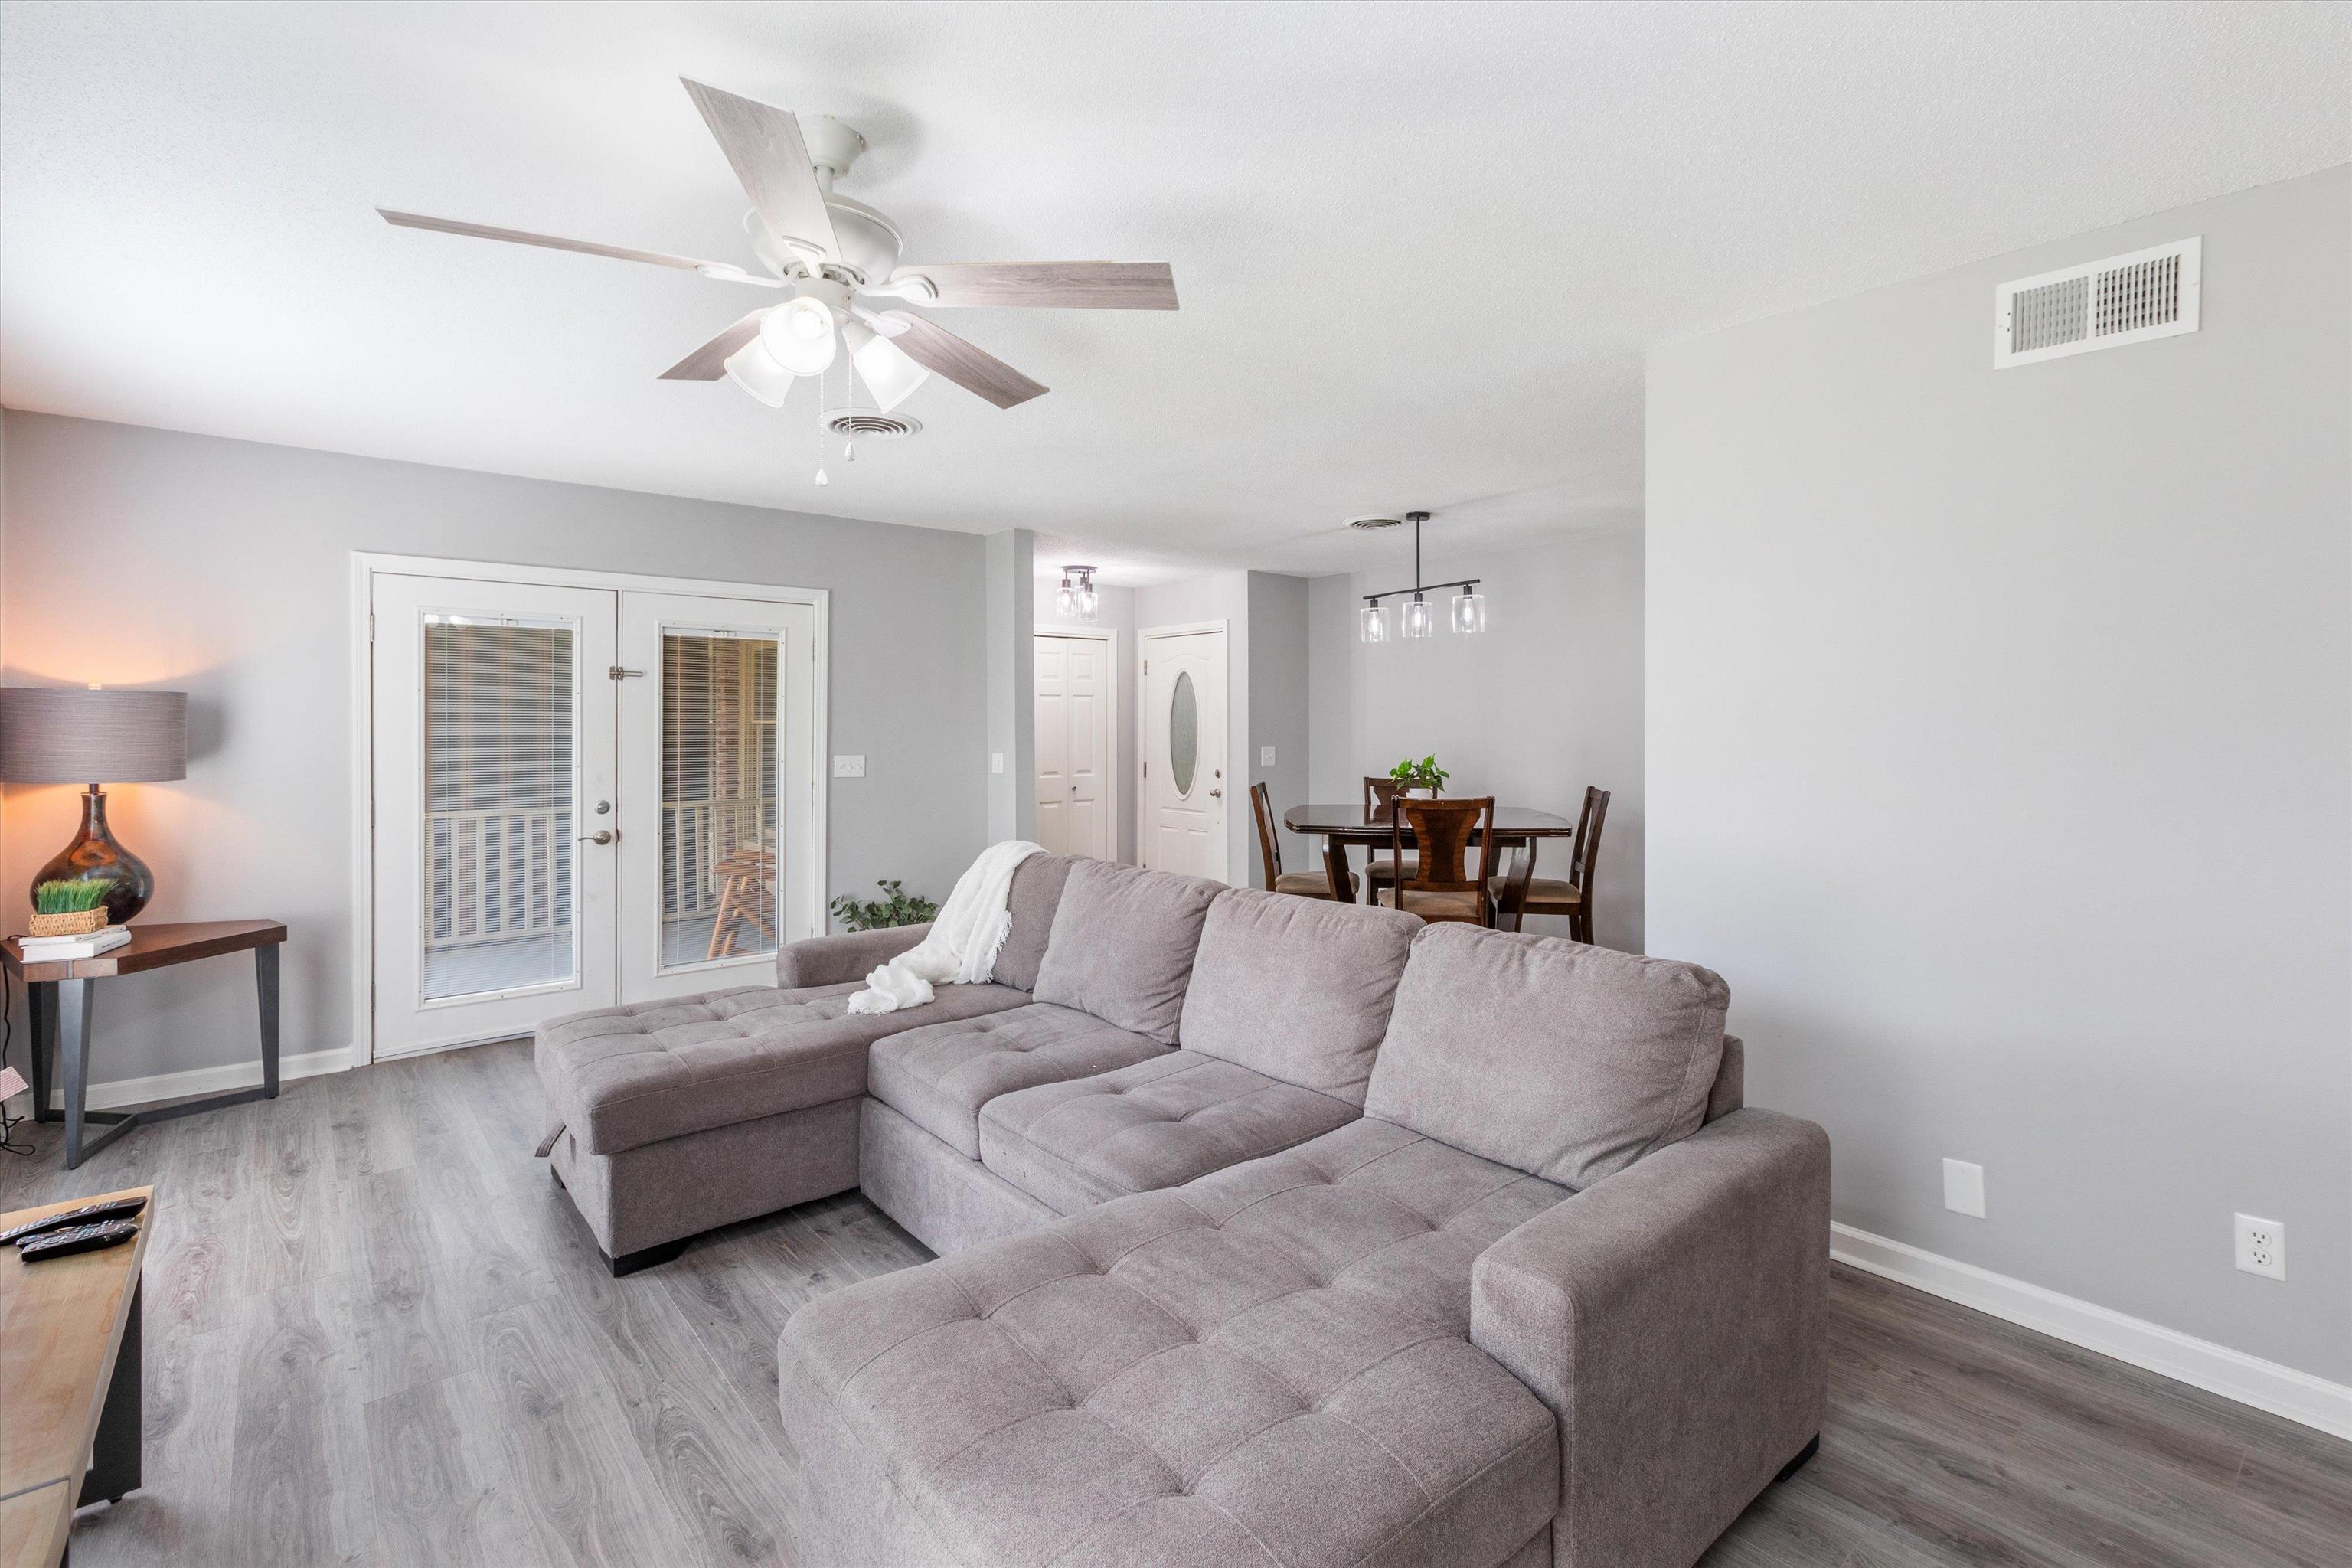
225,570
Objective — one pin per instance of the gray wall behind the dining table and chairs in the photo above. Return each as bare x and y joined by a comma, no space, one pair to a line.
1539,706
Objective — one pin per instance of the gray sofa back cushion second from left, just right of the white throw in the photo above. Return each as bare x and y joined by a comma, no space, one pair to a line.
1123,946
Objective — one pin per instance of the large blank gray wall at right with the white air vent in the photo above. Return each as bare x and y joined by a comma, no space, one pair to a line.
2000,756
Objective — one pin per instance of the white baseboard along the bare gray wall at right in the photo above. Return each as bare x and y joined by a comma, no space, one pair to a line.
2217,1369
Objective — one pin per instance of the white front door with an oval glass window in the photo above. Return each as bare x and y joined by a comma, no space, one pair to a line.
1184,753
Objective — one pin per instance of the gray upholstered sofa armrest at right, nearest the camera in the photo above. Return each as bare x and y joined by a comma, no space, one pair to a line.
1676,1322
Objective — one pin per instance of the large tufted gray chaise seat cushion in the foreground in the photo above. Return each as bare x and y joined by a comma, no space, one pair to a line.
1267,1365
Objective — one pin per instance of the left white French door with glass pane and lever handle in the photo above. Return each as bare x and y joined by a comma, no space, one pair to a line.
493,753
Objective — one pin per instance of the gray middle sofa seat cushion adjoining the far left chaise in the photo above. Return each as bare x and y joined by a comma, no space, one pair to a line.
942,1076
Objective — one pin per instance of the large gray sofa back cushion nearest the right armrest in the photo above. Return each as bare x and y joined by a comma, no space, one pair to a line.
1551,1057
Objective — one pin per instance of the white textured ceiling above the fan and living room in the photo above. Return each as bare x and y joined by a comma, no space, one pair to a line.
1419,248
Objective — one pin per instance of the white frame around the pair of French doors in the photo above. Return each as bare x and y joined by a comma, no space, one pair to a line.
366,565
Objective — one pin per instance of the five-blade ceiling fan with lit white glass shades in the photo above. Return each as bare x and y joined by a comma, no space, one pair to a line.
834,255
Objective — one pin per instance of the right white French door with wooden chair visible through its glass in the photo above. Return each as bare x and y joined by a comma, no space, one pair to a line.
719,791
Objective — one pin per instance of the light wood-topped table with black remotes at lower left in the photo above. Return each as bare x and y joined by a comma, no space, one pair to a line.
69,1365
